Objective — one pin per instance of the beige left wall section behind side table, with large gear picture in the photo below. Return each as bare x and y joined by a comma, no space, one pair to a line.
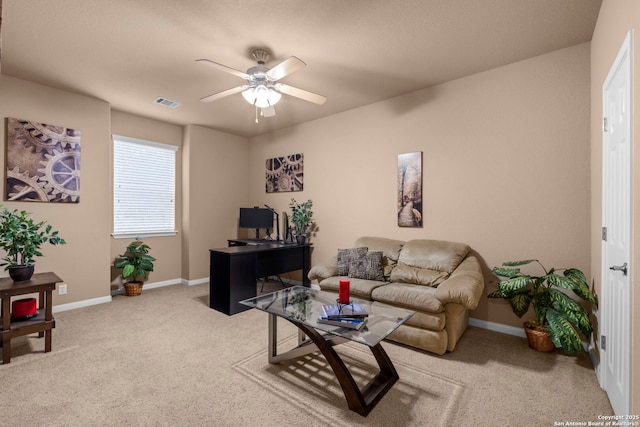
84,262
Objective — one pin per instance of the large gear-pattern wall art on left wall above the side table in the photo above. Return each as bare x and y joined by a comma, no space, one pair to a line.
43,162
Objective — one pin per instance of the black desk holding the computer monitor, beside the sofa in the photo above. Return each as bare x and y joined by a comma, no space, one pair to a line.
233,271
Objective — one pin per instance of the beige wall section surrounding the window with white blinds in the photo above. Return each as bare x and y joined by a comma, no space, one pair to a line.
166,250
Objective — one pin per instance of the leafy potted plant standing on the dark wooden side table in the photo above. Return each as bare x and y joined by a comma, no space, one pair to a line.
21,238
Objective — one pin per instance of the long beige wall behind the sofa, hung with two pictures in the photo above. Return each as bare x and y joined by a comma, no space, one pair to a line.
505,165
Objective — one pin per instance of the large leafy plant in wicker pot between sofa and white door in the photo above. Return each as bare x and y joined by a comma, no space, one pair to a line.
557,314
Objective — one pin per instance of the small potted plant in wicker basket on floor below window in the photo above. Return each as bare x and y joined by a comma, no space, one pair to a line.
135,263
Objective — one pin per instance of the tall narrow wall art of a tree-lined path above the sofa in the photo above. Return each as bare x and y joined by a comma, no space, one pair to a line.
410,189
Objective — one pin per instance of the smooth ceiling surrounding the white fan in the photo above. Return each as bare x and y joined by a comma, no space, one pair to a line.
128,52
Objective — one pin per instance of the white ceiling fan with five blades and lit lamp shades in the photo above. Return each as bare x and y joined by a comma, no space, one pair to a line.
263,88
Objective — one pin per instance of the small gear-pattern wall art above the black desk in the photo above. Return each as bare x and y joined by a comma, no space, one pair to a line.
284,174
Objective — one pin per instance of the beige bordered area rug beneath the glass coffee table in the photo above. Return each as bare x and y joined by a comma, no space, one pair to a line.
420,397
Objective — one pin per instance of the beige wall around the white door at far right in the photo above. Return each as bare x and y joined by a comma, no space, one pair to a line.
616,18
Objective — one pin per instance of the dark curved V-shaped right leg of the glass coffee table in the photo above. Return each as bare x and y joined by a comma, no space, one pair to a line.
360,401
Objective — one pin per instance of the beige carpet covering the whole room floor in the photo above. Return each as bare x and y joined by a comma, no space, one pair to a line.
166,359
